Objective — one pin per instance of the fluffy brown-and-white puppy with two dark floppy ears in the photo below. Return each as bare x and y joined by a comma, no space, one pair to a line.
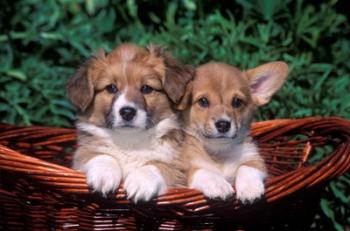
127,126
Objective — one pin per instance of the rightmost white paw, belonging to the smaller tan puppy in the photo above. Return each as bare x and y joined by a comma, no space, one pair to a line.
249,184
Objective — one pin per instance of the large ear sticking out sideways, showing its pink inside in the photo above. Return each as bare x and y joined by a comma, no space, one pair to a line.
266,80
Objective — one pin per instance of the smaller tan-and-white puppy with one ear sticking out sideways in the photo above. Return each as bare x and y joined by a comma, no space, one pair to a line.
218,110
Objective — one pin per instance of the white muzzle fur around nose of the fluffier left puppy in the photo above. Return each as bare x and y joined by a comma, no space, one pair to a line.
140,119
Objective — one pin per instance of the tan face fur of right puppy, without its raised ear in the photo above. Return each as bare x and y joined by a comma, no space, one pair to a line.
210,80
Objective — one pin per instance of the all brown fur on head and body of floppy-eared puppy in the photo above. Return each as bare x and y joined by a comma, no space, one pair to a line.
129,66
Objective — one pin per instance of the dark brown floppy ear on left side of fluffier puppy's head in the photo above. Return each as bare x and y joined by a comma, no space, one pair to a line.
80,89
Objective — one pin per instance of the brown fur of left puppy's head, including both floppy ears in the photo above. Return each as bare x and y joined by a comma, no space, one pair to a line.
128,65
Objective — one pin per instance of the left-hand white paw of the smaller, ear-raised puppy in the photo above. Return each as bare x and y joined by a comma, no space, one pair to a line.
211,184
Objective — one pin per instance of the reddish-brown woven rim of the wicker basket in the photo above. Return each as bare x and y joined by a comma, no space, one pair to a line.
67,180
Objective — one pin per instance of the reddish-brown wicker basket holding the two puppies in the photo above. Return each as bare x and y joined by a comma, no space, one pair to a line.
39,191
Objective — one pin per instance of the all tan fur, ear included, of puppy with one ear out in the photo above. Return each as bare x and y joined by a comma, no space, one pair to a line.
219,83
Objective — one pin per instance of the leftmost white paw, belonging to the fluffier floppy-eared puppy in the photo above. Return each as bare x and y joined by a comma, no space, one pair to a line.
103,174
